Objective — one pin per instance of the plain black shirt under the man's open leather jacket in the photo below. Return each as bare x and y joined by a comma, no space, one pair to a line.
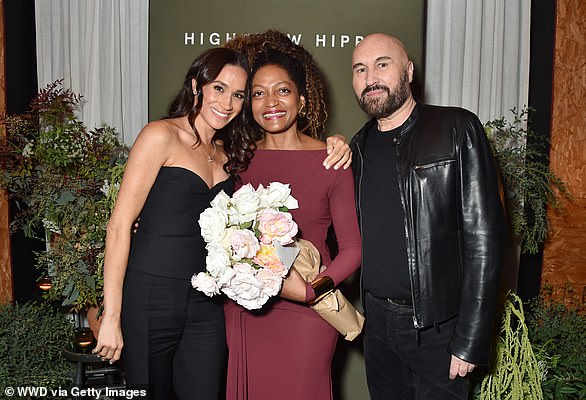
385,269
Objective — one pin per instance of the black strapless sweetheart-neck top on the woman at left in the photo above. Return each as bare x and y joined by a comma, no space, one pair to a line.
168,241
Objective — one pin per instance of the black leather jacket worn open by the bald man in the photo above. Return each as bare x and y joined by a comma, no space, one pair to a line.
454,222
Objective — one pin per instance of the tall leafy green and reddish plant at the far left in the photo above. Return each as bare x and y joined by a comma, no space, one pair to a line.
64,179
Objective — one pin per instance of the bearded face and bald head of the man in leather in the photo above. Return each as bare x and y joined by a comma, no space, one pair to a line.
381,74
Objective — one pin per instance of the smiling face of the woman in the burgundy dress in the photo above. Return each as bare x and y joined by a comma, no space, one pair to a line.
275,100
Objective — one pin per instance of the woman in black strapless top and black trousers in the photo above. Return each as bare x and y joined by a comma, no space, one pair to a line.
173,336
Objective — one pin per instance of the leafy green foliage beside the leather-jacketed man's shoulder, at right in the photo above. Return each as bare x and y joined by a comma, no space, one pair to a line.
530,186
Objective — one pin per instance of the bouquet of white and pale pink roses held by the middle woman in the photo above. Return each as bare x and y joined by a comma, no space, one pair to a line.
246,238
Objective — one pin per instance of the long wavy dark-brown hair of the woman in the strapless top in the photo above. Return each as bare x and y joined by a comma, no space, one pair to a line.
235,137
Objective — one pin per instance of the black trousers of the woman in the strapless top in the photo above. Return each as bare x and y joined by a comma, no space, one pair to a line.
174,337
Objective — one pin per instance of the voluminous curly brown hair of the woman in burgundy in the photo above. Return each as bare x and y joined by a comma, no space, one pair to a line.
275,48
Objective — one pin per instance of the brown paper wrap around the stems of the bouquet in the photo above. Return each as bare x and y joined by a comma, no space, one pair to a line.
335,309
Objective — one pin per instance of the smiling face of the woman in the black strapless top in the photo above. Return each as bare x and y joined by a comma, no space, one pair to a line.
223,99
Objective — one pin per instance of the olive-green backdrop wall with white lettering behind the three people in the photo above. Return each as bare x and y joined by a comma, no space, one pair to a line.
329,29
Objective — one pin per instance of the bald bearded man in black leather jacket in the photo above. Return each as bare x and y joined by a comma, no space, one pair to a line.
433,231
